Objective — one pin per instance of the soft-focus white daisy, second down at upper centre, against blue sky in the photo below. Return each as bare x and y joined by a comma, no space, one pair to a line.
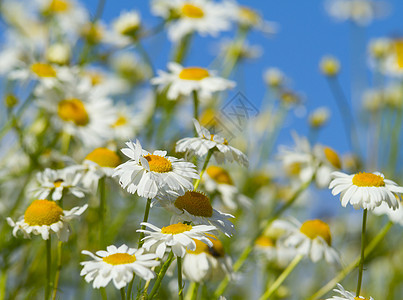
182,81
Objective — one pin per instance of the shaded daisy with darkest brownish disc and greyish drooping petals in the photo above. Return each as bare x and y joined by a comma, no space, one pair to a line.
195,207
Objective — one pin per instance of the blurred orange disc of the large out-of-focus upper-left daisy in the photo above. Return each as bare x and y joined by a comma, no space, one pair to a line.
73,110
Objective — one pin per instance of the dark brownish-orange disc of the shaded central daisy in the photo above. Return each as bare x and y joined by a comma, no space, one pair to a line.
195,203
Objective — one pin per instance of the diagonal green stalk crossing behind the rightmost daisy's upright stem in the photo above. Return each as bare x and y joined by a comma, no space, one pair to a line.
347,270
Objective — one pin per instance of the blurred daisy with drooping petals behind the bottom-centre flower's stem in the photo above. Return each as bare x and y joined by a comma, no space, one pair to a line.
206,263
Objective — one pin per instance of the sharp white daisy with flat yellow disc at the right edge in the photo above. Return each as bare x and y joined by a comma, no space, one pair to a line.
365,190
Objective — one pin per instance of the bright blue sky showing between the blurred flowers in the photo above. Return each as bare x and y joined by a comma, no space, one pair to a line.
306,33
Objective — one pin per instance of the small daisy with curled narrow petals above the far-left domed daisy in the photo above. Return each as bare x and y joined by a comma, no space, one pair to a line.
55,182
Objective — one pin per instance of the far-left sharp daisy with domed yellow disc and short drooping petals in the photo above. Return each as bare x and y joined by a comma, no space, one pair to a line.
45,216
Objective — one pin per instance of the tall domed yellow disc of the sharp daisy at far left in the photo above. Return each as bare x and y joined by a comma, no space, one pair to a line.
42,212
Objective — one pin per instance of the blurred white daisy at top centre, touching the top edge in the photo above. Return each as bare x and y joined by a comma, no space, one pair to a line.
187,16
